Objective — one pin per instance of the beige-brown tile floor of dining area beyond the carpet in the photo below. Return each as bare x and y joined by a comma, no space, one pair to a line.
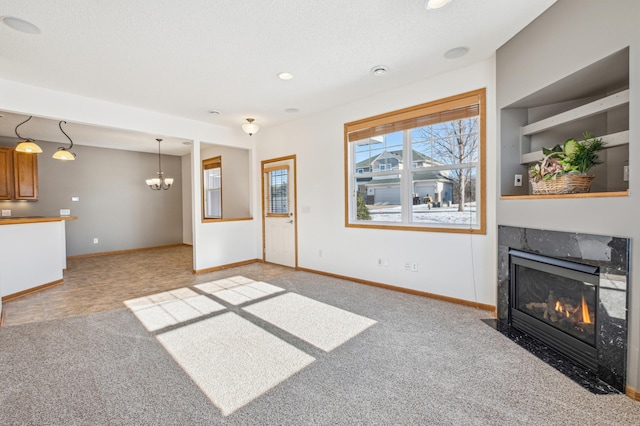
103,283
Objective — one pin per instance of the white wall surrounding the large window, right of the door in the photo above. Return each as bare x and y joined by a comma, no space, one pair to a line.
454,265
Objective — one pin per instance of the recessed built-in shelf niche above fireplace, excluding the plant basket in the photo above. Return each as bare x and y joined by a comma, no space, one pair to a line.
593,99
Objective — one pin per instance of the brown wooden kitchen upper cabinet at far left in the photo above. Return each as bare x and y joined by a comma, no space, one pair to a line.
18,175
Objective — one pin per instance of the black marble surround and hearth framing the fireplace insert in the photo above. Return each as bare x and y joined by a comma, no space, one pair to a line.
610,258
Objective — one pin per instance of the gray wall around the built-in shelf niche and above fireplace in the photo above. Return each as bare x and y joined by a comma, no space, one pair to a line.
568,37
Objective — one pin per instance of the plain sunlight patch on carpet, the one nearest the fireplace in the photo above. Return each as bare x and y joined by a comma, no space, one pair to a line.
319,324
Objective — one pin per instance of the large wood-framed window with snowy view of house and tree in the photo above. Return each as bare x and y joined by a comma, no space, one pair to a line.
427,169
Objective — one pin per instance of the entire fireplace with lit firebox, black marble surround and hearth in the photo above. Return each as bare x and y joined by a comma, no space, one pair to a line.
563,296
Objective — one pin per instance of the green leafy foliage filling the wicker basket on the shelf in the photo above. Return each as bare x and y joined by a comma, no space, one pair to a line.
572,157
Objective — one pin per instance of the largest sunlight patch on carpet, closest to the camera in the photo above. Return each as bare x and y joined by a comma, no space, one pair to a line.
232,360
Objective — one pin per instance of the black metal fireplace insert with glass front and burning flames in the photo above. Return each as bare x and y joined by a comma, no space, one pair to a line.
555,301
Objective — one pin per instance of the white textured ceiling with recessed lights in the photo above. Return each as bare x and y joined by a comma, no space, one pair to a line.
187,57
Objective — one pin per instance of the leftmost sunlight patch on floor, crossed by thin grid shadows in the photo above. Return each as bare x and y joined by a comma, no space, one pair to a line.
161,310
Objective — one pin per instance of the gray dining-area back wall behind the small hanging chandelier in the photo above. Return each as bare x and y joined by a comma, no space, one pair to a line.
116,205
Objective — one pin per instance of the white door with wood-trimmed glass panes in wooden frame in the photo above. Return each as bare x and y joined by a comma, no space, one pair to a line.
279,211
